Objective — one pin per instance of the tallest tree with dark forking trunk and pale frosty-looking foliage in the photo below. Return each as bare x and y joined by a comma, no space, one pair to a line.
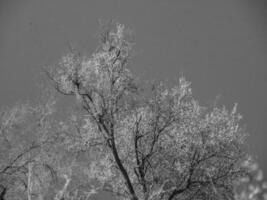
148,144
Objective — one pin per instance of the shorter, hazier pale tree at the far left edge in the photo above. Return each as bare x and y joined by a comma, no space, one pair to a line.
24,133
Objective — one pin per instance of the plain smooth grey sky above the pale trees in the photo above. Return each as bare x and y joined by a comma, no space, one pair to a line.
220,46
